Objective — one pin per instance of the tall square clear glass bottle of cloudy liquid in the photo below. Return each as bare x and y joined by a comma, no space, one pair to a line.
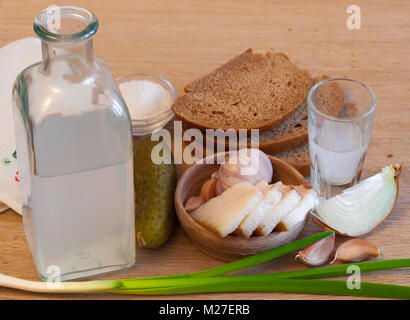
74,150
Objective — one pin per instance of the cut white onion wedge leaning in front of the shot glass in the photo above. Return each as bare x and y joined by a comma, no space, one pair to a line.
361,208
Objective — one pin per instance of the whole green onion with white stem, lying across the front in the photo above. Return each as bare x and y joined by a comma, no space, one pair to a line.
212,281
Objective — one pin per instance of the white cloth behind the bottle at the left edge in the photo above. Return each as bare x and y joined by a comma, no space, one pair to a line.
14,57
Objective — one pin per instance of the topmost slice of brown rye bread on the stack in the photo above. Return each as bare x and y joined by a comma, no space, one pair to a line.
251,91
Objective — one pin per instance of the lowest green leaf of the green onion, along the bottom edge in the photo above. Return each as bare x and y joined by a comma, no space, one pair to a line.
267,283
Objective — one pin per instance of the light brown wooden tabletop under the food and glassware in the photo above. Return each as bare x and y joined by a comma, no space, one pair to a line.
182,40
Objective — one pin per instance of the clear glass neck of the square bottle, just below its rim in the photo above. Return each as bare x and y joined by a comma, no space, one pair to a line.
82,50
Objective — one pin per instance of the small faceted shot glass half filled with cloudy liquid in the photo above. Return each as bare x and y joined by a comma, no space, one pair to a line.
341,113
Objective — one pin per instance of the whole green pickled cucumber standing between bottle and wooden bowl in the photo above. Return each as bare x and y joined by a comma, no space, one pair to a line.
154,196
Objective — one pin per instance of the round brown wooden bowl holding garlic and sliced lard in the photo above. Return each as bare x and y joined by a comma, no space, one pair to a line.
230,247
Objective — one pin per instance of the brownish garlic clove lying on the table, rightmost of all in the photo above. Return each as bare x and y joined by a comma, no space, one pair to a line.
356,250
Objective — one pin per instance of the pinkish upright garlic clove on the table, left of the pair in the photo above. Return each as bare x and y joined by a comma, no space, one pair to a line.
317,253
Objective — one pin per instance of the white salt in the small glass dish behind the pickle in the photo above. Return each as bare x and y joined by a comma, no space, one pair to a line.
145,99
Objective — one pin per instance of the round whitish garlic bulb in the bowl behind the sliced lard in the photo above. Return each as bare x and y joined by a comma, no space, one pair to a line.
244,165
